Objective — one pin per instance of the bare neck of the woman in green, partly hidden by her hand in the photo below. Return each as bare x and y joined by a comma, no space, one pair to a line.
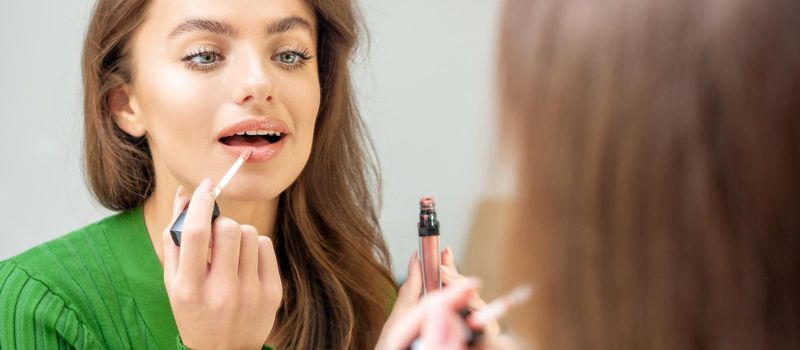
158,213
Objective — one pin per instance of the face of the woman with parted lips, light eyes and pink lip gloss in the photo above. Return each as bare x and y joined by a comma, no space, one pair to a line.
207,70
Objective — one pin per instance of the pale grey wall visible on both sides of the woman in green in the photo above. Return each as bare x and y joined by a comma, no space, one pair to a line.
425,86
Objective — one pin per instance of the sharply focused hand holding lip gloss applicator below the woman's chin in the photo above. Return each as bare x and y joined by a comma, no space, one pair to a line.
231,301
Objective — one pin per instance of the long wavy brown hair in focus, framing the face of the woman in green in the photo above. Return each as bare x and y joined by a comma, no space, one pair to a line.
332,257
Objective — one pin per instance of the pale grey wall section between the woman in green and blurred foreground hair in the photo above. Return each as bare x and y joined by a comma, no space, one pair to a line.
427,94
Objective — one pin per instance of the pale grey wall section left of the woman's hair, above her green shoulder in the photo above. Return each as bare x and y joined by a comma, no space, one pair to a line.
42,194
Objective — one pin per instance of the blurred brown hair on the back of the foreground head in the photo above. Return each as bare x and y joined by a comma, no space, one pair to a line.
659,176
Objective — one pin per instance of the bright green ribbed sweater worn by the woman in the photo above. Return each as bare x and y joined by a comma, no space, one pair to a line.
100,287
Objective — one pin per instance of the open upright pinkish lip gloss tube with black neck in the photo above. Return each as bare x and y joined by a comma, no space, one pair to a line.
430,258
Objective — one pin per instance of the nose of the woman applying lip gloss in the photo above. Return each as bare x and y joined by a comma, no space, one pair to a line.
255,83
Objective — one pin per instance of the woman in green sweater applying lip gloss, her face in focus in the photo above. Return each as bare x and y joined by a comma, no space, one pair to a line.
174,91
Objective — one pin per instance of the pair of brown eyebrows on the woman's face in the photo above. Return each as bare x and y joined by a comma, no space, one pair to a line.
224,28
